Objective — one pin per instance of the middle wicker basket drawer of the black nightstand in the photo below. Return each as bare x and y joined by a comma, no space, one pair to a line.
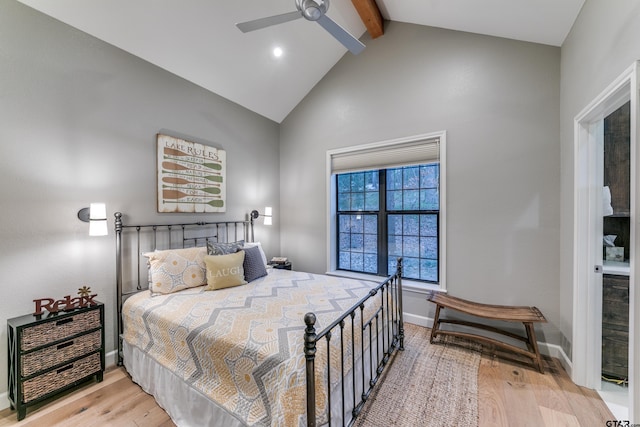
47,357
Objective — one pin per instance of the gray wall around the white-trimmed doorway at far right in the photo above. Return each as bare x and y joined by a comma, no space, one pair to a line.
604,42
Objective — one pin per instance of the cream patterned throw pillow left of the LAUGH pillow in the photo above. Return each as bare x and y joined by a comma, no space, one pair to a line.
176,269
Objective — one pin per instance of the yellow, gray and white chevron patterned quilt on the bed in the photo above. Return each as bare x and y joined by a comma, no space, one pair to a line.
243,346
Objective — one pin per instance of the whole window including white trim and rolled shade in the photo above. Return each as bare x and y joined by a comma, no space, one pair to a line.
386,200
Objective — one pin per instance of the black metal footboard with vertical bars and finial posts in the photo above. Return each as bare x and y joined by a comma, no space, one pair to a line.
380,335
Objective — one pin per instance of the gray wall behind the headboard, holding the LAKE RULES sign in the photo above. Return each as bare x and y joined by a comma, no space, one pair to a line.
79,119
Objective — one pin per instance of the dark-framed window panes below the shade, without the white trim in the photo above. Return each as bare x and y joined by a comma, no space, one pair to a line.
389,213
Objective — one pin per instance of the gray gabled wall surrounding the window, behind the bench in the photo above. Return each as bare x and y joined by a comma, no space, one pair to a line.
499,102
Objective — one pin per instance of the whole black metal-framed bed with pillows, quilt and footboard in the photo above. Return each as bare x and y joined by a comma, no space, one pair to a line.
288,348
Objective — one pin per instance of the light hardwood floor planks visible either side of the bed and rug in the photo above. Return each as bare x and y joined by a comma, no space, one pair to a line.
510,394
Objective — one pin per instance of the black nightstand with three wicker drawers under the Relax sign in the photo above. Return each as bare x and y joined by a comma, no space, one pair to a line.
53,352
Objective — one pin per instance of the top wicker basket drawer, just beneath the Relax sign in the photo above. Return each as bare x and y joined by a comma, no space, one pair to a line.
49,332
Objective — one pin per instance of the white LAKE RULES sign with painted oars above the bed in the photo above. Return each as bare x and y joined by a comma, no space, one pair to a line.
191,176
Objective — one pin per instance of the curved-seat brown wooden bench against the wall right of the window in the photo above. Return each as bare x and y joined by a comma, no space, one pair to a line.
519,314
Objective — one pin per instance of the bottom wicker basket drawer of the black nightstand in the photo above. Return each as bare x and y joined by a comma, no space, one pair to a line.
55,380
